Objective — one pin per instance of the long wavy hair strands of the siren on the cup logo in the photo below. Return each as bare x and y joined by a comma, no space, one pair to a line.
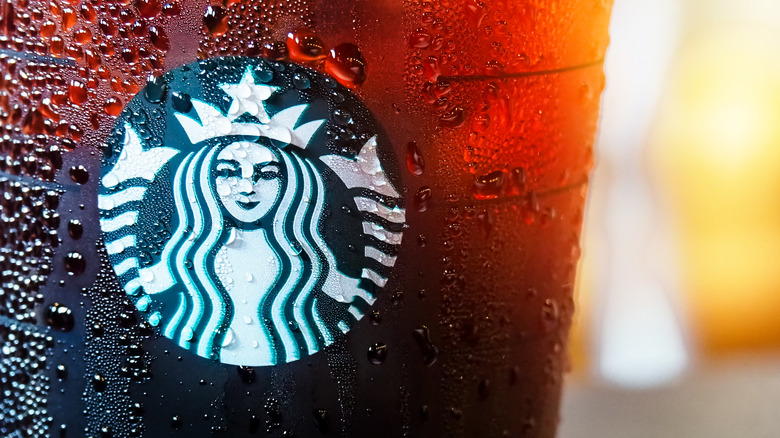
205,310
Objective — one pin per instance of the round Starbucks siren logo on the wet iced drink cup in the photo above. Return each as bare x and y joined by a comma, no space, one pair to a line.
250,209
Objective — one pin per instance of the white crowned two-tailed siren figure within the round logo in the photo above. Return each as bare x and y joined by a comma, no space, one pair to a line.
252,278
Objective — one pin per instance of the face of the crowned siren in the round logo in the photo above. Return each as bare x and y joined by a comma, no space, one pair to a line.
248,180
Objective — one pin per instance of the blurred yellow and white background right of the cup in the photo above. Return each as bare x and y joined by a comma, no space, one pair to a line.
678,328
